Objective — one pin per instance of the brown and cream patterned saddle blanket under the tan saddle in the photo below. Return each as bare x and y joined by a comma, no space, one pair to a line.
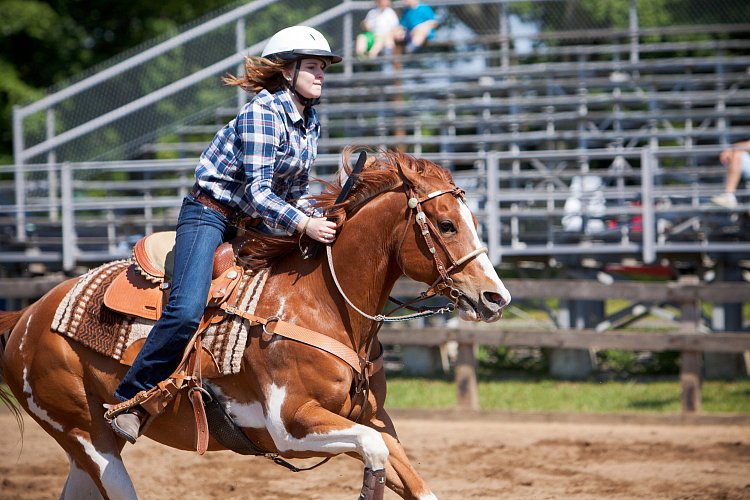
83,317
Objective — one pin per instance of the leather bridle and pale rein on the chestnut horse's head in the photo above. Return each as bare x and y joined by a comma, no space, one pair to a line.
430,234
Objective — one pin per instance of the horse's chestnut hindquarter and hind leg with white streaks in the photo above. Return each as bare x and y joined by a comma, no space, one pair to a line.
47,382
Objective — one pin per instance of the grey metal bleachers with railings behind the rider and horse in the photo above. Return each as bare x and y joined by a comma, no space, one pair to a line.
587,144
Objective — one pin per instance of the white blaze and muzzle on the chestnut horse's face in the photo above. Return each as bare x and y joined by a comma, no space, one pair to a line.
485,296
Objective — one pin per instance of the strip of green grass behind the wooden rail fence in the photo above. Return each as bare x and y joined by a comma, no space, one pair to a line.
551,395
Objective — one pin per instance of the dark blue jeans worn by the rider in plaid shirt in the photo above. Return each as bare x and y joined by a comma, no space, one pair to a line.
200,230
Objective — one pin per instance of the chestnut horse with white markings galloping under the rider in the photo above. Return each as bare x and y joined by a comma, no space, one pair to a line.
290,398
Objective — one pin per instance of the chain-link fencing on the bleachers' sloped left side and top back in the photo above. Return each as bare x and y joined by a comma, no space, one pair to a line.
176,80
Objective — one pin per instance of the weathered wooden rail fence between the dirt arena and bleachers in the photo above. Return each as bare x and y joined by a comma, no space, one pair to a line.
687,339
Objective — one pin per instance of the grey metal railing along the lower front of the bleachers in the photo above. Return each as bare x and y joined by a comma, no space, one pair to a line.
647,203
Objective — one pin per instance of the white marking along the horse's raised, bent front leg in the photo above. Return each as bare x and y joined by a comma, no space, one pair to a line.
367,442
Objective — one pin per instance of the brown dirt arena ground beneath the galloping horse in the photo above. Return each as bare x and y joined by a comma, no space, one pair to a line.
479,457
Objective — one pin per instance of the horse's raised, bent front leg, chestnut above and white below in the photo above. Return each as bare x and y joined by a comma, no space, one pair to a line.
315,429
